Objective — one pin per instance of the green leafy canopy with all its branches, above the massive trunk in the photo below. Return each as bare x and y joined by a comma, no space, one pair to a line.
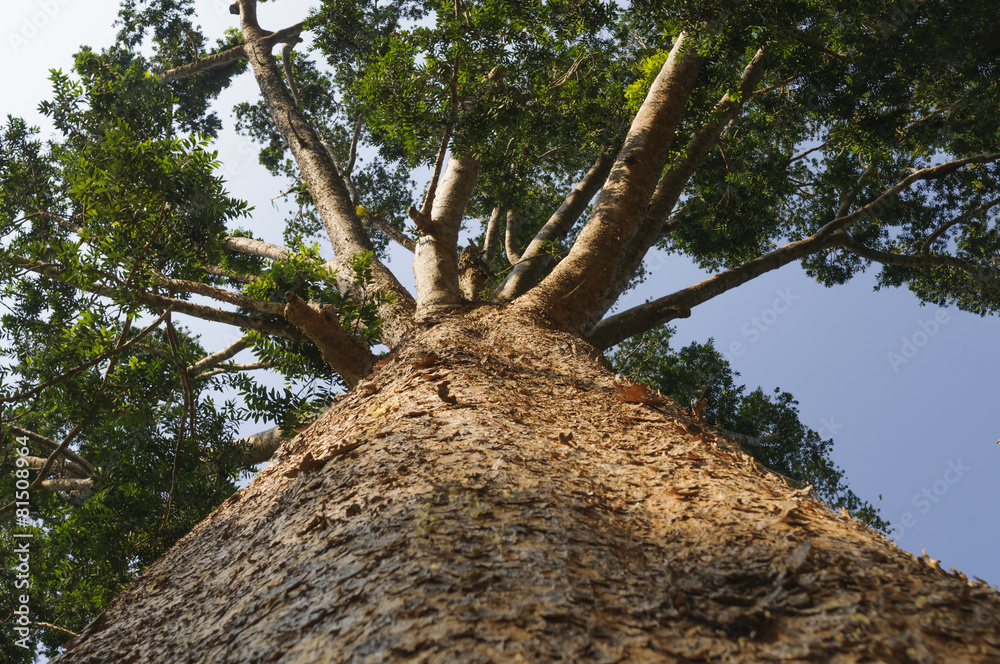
567,139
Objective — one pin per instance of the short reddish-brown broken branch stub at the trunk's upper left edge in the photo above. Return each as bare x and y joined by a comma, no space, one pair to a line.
347,354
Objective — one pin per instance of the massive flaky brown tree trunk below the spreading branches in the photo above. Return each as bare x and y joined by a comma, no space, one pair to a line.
493,493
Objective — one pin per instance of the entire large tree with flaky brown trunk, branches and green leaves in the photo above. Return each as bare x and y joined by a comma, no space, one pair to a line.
487,488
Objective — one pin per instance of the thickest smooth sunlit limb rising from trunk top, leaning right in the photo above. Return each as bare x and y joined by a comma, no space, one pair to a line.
566,298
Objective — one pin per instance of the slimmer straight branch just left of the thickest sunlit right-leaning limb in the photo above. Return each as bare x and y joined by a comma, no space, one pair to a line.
532,263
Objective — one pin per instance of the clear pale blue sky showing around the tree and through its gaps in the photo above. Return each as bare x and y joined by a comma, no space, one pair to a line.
908,393
